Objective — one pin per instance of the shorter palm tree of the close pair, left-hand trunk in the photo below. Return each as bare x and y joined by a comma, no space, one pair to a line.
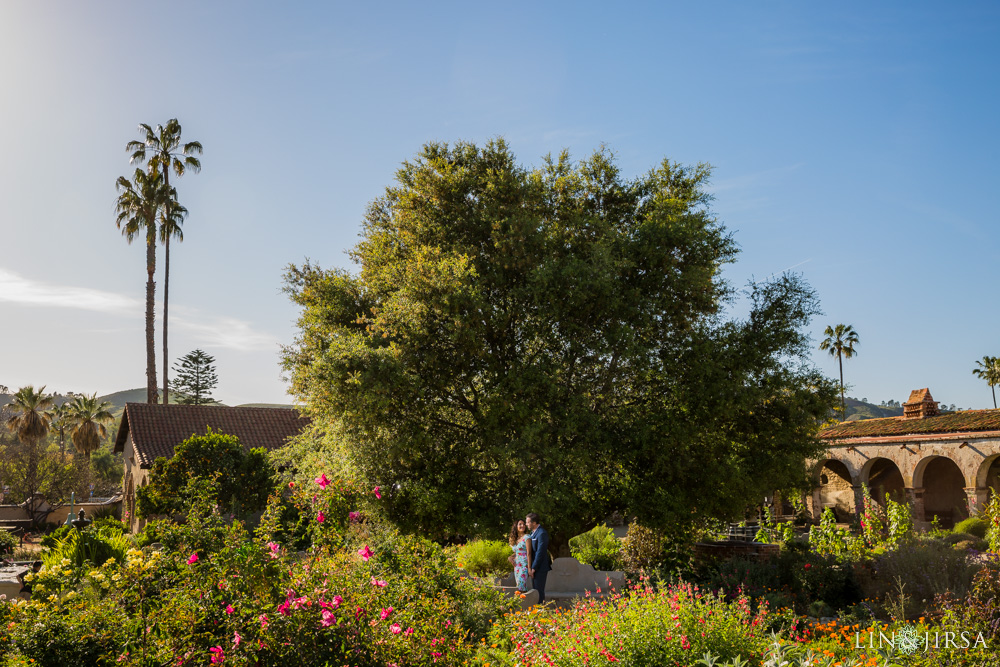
139,202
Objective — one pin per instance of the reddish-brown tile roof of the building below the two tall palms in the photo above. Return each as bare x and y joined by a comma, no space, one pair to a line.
156,429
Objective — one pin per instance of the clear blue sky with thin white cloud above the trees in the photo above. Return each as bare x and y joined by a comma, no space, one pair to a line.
855,143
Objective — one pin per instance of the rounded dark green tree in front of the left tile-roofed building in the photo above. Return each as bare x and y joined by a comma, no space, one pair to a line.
243,478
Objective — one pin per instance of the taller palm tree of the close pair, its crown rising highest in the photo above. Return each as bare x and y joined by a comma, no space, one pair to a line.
165,152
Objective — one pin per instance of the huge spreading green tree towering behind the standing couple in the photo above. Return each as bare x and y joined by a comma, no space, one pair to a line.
553,340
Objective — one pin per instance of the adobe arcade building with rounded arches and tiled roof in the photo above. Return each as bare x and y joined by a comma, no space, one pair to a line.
943,464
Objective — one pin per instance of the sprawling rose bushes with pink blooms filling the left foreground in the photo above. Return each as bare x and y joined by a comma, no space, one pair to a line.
354,593
